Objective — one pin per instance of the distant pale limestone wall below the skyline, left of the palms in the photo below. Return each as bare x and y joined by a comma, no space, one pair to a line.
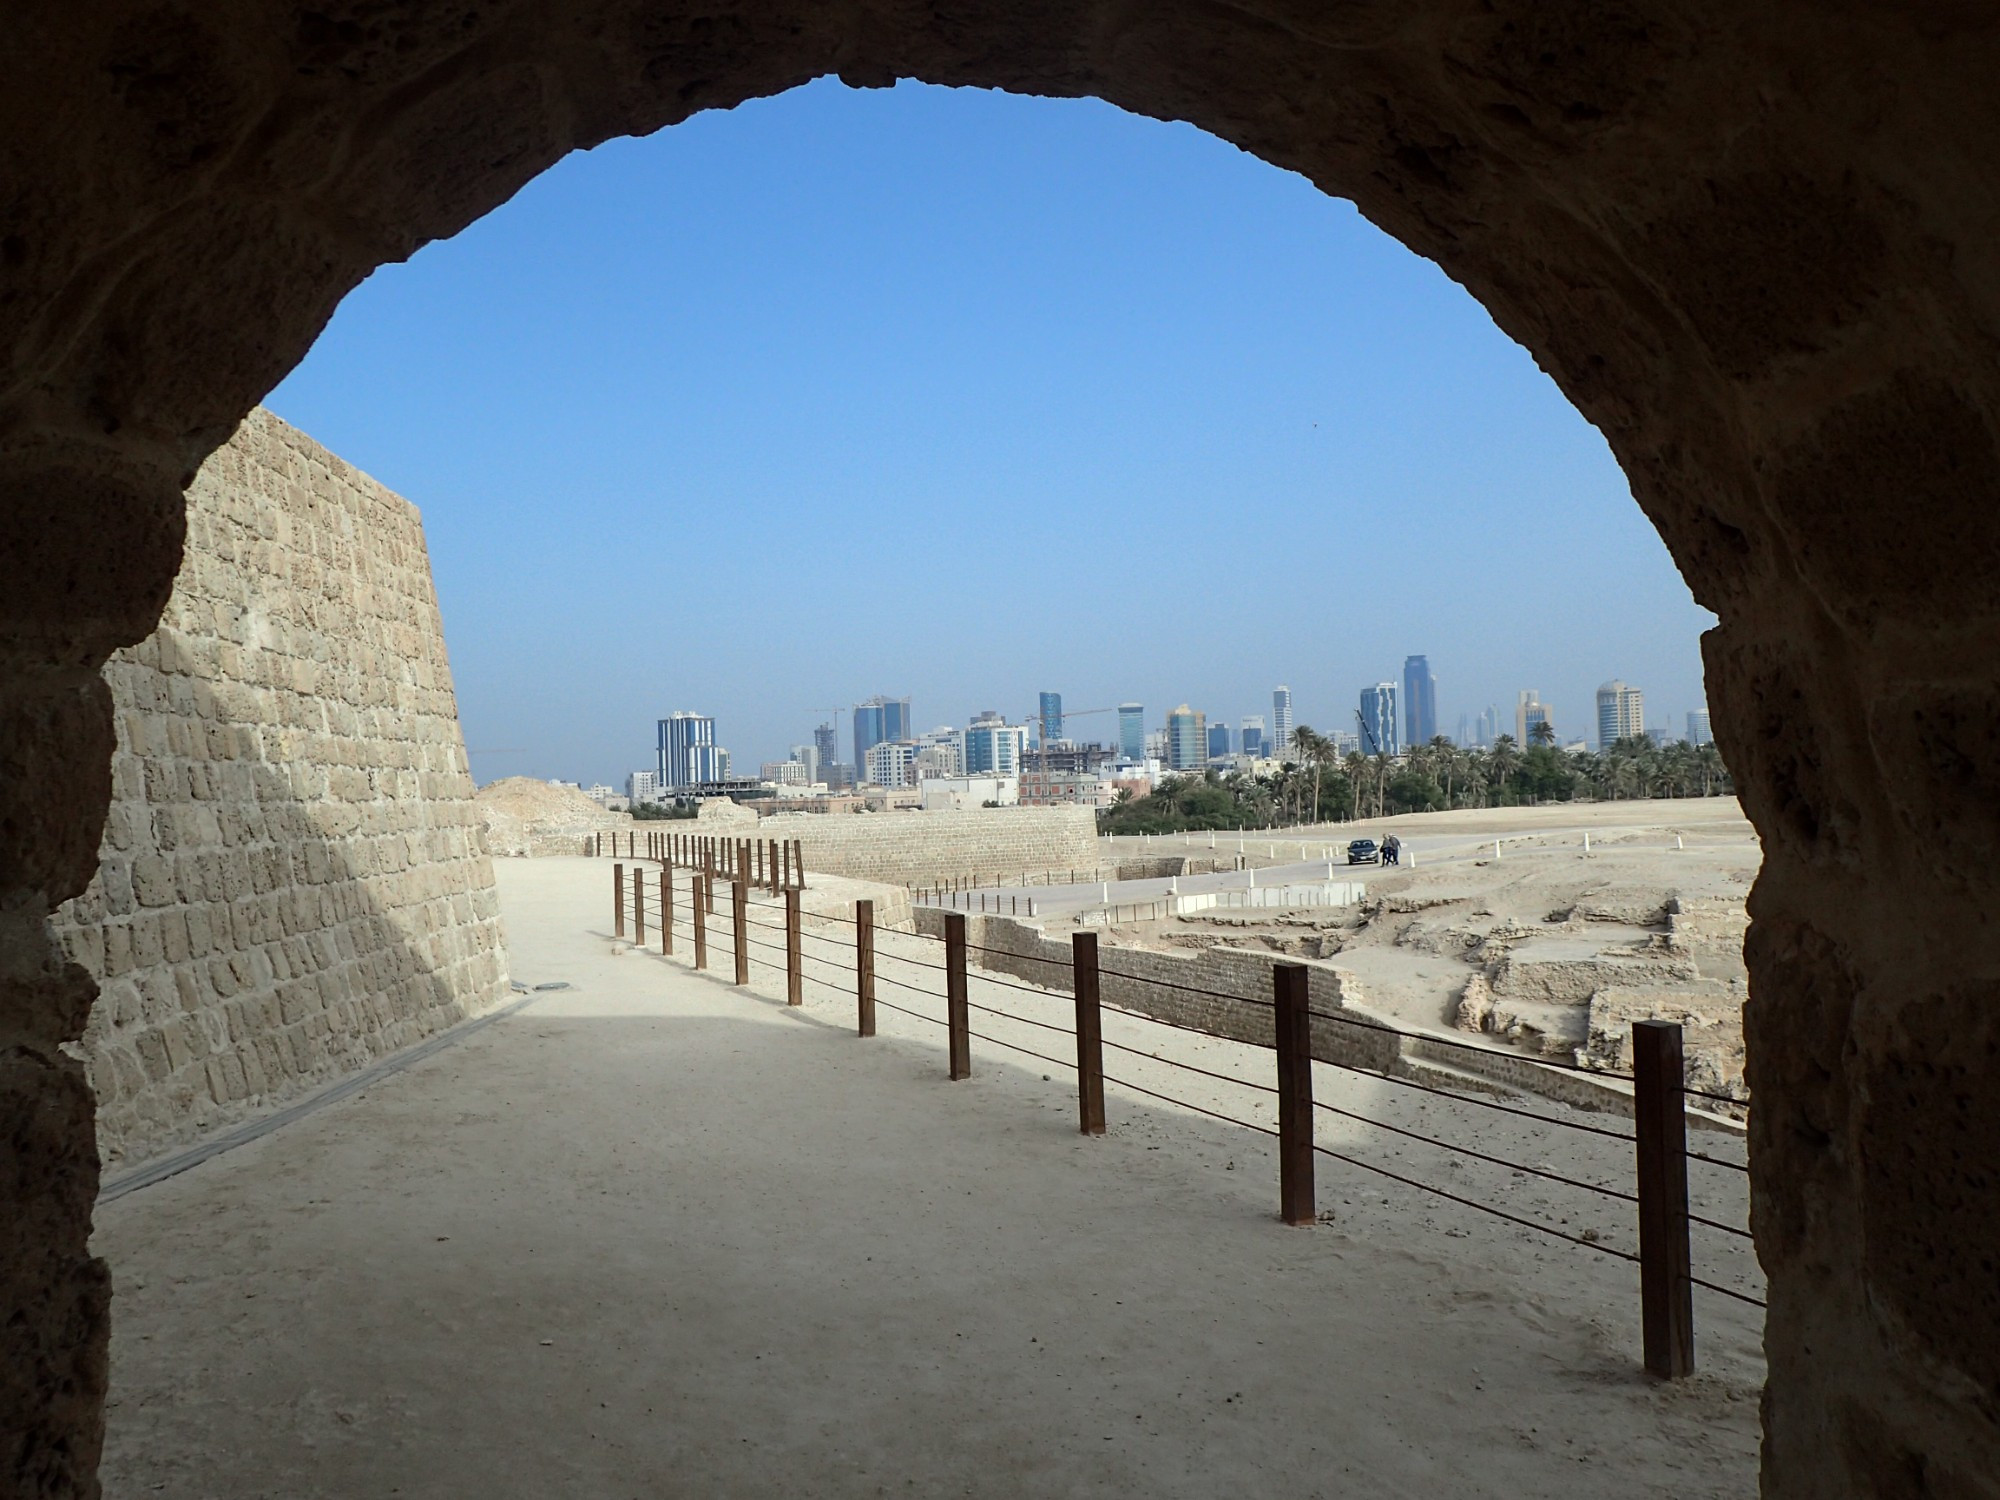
923,847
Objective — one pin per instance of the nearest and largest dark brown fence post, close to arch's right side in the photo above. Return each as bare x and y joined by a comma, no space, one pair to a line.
1661,1131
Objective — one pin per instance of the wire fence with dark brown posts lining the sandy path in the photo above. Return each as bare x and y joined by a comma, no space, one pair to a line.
695,909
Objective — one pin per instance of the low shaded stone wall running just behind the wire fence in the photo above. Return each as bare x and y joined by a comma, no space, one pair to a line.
1219,991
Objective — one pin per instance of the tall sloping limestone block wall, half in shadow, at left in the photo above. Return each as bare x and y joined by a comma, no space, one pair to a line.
295,877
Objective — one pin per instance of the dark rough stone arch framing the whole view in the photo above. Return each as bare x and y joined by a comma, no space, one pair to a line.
1757,247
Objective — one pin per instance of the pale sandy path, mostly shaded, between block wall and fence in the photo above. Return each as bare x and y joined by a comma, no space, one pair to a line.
657,1235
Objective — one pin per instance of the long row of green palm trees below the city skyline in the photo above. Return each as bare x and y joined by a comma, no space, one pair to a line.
1321,785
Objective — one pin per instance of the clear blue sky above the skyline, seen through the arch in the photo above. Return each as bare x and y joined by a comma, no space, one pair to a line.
965,397
